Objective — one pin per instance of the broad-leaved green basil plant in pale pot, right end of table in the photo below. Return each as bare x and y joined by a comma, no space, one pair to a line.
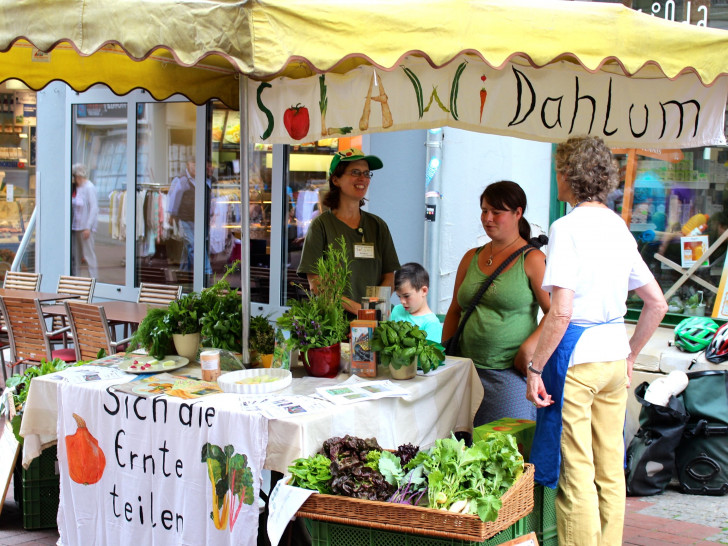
402,345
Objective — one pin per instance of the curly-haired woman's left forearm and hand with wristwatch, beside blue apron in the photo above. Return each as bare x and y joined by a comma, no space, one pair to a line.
554,325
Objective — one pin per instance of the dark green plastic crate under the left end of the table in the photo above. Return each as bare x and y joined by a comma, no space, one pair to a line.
41,491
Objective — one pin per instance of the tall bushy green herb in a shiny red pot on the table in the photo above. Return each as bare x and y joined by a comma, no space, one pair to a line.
318,323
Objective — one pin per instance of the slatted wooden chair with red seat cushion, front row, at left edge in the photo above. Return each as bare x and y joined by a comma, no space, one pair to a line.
29,336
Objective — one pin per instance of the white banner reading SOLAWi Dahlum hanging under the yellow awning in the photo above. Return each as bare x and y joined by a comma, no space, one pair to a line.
548,104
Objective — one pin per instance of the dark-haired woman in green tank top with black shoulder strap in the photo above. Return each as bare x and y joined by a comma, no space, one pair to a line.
501,333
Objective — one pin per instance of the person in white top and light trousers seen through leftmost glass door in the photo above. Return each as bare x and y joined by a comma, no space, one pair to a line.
84,218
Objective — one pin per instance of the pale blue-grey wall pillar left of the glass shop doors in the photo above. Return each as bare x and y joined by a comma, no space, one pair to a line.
54,177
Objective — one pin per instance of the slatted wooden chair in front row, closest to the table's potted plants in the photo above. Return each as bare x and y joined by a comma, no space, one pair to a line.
91,331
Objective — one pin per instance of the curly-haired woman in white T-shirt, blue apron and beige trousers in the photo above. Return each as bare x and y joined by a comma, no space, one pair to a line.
582,364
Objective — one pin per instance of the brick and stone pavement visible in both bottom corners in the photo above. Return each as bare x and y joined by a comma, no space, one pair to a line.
670,518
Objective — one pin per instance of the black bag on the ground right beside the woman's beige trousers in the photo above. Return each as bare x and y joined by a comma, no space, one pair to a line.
651,453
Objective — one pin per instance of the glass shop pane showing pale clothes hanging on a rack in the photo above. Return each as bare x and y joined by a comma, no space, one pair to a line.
165,194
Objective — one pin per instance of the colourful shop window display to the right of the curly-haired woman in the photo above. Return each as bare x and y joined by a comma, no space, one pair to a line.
676,205
